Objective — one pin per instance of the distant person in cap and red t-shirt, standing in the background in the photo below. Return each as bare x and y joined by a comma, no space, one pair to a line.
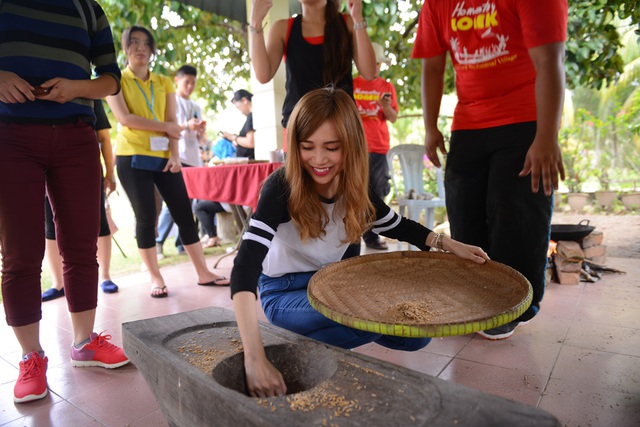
377,102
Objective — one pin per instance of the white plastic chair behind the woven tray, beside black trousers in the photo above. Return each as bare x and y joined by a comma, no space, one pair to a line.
411,157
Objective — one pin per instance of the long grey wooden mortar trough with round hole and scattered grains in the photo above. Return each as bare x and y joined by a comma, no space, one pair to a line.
193,363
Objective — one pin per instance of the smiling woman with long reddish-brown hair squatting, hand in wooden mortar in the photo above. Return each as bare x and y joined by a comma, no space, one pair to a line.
307,215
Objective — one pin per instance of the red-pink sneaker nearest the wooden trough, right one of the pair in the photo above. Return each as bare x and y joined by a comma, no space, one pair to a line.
98,352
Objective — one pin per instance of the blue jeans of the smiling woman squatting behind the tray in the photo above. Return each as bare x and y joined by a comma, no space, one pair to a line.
285,303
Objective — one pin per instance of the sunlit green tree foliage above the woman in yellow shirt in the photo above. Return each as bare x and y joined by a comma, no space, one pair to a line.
214,44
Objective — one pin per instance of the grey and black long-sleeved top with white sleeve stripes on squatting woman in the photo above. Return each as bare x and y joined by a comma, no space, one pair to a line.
272,244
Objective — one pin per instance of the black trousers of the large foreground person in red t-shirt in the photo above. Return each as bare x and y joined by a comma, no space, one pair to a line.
490,206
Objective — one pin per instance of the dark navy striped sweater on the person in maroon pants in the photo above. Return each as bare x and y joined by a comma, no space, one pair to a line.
43,39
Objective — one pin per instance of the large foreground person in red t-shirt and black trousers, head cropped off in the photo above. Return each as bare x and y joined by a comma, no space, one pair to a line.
509,62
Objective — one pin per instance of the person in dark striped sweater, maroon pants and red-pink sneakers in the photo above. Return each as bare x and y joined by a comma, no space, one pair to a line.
48,144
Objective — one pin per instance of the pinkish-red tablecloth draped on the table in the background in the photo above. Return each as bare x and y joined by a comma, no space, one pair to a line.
235,184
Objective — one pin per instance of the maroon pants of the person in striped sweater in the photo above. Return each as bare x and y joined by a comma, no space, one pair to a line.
64,161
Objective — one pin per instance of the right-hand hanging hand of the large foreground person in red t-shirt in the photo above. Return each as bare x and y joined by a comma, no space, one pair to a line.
543,160
